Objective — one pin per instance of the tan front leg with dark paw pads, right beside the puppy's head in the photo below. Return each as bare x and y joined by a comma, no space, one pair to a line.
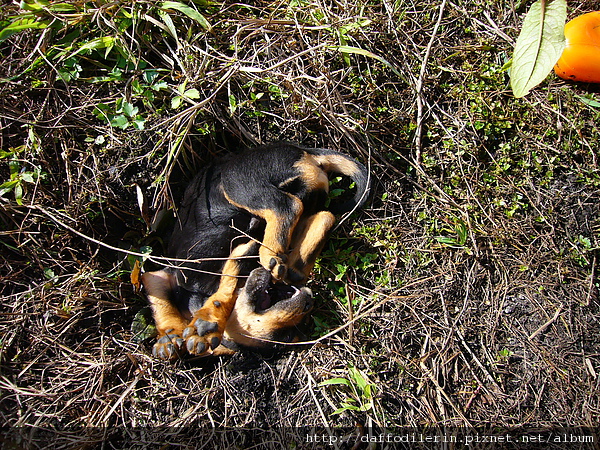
205,331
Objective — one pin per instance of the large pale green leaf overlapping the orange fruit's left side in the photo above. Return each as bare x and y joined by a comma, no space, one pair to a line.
539,45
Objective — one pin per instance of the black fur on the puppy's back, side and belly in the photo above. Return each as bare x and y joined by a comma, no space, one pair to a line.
207,222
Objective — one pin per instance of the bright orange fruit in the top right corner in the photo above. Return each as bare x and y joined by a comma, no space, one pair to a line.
580,60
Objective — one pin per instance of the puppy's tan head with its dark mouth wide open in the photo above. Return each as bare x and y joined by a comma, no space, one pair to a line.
266,313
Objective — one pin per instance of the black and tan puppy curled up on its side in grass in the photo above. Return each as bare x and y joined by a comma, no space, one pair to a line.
247,235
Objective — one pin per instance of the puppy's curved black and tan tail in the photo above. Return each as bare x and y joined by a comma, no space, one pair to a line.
335,162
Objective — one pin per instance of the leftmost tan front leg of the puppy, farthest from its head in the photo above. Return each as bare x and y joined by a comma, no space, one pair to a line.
168,319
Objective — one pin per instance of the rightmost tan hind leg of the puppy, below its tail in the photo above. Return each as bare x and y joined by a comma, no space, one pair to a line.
309,237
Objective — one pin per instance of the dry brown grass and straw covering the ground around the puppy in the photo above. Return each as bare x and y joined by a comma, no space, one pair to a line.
481,309
